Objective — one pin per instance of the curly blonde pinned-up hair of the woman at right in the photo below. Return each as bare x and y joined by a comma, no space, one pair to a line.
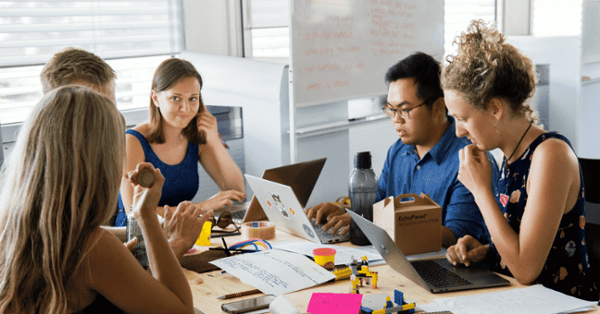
487,67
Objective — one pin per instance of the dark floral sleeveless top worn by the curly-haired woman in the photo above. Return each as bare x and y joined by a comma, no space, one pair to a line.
567,267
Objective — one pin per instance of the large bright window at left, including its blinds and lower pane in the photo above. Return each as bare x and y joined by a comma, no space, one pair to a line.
132,36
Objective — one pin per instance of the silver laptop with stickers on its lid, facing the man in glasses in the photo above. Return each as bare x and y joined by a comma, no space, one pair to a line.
283,208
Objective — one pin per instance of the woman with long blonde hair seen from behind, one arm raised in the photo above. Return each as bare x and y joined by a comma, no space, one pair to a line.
60,183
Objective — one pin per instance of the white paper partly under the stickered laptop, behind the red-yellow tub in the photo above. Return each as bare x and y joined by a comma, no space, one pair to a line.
343,254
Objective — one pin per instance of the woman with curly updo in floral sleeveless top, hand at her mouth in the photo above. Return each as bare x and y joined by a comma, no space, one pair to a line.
535,217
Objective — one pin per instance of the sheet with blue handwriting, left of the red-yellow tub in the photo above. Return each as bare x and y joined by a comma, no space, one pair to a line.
274,271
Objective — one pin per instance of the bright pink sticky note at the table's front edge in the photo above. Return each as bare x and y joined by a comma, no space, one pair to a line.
334,303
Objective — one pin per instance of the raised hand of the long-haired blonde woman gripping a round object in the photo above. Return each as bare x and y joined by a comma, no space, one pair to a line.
145,200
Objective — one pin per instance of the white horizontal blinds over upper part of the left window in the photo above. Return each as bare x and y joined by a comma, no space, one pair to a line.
32,31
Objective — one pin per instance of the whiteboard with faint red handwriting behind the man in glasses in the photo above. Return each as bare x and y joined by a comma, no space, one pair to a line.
341,49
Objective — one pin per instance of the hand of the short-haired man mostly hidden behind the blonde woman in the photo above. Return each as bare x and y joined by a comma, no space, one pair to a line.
183,225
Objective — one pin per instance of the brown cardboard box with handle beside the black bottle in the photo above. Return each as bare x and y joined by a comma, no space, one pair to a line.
415,225
